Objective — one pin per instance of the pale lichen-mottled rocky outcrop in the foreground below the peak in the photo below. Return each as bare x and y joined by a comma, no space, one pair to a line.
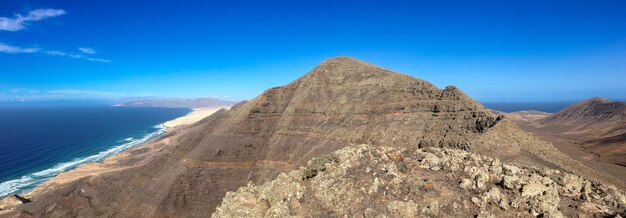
381,181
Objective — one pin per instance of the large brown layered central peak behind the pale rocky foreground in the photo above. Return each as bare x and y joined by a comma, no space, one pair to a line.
341,102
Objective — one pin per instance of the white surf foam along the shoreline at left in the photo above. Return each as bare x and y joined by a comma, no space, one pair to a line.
31,181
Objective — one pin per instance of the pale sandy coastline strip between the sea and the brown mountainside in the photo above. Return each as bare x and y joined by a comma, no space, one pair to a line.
106,161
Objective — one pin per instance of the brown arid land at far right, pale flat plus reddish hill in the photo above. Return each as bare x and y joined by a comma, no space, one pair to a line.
592,131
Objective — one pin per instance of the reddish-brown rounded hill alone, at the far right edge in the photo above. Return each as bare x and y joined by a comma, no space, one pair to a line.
597,125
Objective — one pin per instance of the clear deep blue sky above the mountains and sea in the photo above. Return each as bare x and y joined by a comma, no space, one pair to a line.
496,51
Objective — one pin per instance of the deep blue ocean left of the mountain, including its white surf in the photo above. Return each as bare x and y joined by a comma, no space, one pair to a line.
38,142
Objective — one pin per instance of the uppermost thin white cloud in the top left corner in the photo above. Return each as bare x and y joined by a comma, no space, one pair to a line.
19,22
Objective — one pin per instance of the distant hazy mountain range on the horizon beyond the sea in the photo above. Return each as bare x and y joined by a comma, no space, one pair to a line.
176,103
